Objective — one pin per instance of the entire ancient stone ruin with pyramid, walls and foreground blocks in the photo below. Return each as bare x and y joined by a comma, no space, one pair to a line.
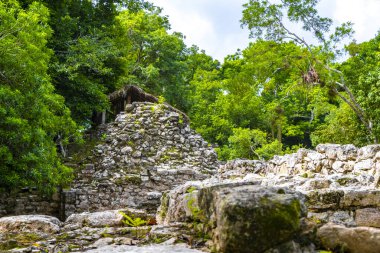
150,165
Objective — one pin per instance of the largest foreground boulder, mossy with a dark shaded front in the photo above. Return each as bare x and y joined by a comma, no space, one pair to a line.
240,217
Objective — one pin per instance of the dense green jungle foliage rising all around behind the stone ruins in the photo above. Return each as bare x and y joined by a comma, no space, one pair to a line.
60,59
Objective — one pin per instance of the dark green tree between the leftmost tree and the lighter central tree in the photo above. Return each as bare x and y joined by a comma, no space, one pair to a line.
85,66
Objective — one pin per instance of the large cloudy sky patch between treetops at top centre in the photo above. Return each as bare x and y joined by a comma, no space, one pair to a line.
212,25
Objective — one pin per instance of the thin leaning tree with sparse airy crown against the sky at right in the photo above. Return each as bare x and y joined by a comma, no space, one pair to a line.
266,20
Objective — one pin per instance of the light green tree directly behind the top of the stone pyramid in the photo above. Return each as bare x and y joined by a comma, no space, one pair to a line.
153,58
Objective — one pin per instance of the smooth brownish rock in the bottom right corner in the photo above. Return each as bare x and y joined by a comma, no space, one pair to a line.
354,240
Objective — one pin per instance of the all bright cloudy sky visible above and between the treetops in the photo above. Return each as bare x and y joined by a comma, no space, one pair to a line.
213,25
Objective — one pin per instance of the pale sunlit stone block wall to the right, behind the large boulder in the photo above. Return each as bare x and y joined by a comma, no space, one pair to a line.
341,182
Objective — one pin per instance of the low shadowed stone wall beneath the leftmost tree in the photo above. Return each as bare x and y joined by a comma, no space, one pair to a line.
29,201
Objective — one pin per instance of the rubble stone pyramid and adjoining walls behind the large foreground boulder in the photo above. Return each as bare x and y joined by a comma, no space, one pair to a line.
150,149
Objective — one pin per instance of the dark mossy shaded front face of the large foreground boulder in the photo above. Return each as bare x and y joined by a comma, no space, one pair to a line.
276,216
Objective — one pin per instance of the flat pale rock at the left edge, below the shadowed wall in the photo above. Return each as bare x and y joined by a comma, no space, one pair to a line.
30,223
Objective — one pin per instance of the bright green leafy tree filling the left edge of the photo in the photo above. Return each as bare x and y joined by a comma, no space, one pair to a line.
32,116
